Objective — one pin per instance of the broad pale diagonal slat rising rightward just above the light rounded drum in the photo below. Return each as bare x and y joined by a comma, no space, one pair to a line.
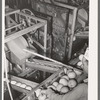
22,32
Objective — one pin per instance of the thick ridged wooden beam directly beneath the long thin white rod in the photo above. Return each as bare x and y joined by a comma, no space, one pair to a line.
45,66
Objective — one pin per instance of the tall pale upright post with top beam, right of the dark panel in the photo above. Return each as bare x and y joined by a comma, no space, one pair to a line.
75,11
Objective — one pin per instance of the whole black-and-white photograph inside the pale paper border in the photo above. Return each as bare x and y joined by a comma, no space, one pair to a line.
46,49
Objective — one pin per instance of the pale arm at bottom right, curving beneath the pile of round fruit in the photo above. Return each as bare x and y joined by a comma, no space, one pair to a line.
78,93
